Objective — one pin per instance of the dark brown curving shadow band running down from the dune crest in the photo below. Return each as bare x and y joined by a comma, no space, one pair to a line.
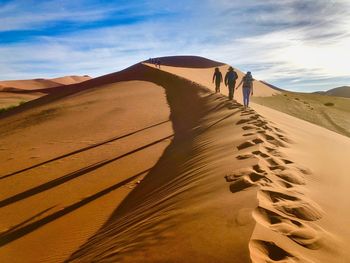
148,211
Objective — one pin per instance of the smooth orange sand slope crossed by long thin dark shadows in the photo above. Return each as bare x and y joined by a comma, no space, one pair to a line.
91,144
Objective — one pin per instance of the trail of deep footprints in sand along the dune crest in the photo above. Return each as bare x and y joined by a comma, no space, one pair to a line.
283,207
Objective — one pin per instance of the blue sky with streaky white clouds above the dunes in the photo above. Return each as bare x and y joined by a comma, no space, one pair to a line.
300,45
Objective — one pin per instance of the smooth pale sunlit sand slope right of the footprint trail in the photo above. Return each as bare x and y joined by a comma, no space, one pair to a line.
325,155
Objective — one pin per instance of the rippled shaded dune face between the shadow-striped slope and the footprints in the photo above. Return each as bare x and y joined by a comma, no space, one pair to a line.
172,196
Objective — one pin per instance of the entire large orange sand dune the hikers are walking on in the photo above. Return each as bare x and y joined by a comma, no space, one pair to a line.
149,165
